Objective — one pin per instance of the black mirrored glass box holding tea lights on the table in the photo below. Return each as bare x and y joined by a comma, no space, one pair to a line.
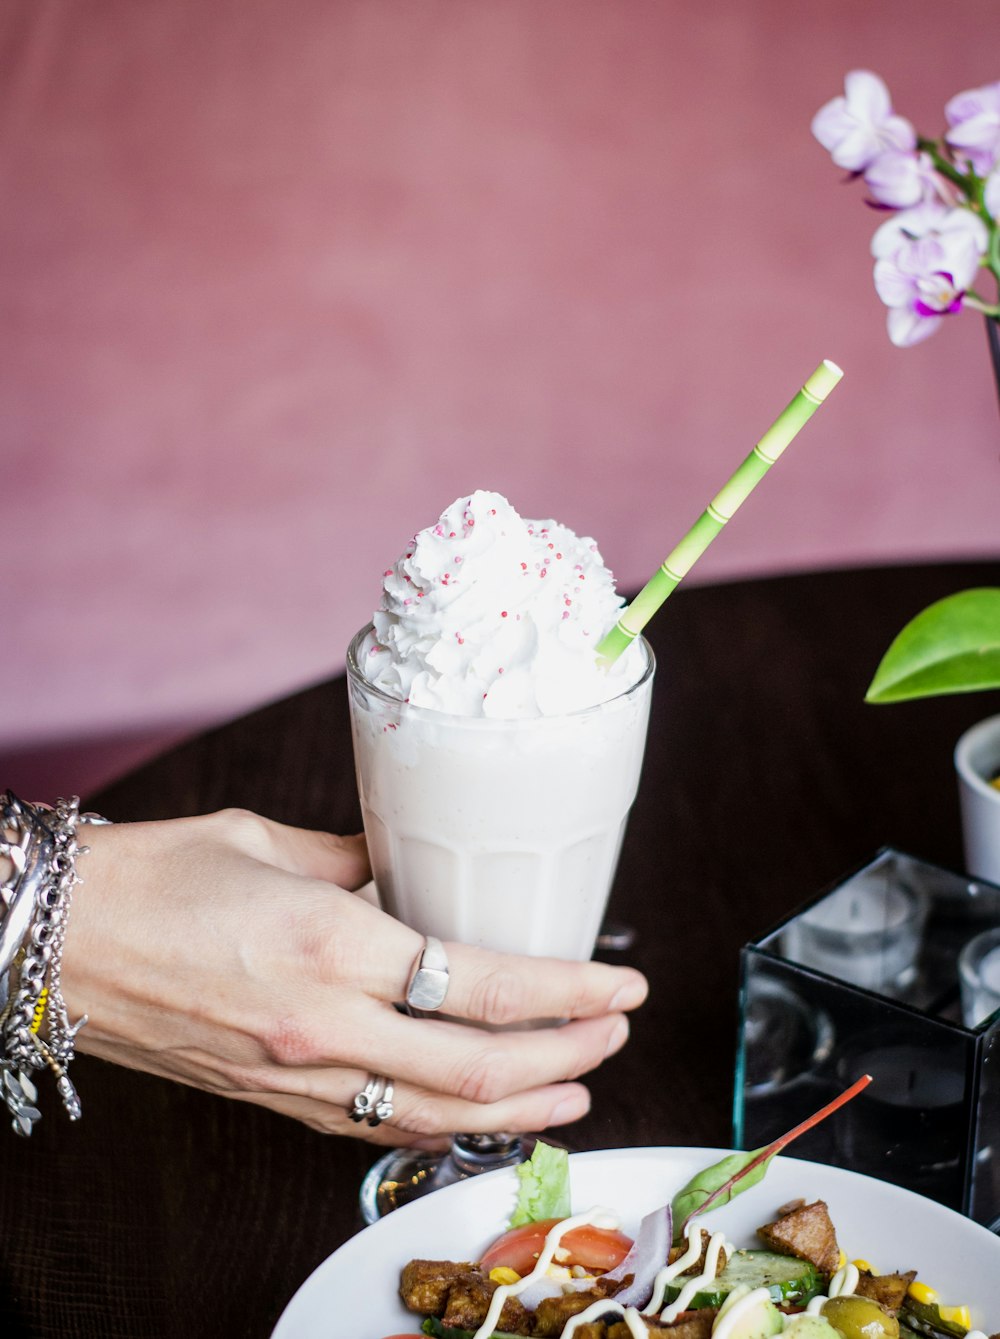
865,979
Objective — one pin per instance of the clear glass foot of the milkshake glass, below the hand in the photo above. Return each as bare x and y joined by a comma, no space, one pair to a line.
406,1175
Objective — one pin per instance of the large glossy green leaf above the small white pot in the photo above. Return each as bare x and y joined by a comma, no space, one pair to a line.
954,646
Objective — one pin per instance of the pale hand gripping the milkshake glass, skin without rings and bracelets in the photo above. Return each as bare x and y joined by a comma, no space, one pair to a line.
231,953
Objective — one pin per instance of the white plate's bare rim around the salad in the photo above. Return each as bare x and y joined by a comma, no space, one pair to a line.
895,1230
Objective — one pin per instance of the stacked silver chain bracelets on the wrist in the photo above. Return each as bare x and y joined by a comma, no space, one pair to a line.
41,843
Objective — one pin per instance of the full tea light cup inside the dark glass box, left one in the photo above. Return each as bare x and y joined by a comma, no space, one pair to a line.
865,934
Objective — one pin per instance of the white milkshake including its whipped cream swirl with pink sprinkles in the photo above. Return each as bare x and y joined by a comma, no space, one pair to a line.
497,761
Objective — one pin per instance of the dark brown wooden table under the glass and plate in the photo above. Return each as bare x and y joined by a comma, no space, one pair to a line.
168,1212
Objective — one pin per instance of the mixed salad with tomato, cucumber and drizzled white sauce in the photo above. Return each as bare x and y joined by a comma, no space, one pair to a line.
554,1274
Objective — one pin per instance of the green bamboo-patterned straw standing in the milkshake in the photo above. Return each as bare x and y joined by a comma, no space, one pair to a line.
678,563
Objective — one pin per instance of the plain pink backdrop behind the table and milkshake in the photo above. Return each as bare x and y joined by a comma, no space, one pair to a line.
282,279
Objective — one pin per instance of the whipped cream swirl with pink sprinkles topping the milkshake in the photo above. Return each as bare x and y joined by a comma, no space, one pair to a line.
489,615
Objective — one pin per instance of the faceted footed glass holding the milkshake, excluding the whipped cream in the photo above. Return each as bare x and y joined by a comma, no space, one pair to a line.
503,834
